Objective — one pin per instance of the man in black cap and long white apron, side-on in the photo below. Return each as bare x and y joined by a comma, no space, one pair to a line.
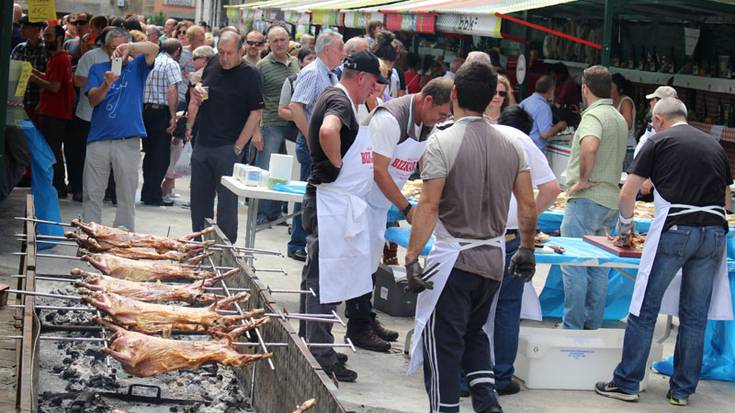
335,205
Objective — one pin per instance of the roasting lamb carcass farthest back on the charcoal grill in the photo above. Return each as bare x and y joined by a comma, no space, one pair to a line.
109,237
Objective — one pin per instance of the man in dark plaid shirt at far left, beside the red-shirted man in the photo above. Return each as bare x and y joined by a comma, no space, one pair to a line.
32,50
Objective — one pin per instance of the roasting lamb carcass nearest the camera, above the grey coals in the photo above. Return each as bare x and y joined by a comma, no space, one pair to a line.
145,356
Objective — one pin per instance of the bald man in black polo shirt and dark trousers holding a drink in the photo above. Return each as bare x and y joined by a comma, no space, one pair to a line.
228,113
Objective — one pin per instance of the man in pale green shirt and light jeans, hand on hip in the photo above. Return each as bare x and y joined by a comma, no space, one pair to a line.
592,182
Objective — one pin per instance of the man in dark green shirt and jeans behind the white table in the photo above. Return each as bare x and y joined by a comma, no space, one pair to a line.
275,68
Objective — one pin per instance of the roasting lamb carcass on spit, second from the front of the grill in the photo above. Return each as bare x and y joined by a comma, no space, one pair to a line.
152,318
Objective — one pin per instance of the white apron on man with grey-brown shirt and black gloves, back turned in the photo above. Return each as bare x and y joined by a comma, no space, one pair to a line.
445,252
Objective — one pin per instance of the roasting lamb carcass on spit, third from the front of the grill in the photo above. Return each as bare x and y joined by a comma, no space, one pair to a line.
152,292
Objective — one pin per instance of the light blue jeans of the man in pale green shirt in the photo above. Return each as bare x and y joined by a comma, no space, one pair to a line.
585,288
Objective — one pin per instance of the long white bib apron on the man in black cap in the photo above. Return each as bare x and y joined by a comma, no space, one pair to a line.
342,224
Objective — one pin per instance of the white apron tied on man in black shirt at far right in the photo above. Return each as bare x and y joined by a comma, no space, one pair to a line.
720,303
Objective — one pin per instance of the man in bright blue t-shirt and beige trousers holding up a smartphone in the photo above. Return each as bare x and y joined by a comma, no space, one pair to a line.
113,143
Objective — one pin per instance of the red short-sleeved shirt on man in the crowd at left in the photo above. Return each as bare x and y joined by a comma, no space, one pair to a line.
60,104
